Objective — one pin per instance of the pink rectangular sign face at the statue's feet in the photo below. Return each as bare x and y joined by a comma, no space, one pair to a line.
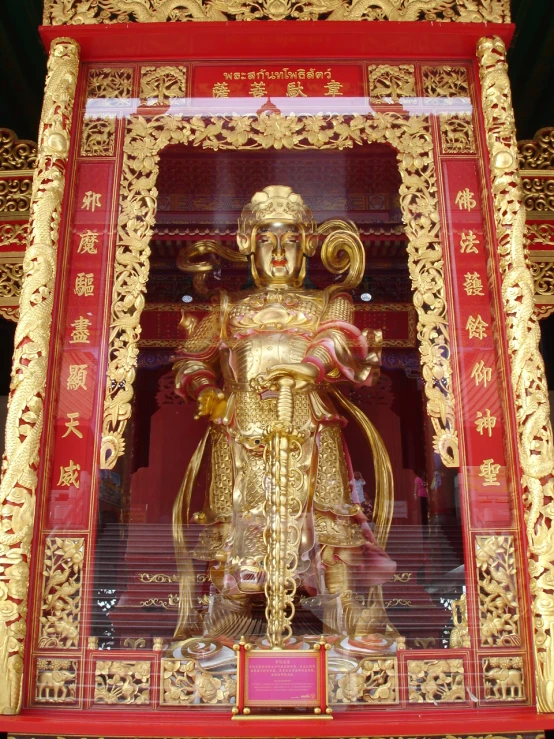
282,678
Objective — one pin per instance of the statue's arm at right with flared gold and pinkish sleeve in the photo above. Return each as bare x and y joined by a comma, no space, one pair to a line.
340,350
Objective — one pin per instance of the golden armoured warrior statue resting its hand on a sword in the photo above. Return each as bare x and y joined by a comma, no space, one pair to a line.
282,532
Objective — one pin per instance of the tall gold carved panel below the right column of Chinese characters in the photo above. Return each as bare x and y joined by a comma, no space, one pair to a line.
497,585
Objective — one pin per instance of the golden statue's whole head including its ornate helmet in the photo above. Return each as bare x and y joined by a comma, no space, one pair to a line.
278,231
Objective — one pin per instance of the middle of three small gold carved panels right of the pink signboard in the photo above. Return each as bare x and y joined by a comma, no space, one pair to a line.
436,681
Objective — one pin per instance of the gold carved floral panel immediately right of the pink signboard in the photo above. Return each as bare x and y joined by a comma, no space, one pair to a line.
374,682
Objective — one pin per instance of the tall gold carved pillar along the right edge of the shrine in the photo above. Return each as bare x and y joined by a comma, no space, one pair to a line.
536,451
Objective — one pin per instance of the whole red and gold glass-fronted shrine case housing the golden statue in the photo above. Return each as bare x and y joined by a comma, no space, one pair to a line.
291,389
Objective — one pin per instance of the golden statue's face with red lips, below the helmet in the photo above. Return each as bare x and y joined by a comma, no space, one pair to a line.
278,254
